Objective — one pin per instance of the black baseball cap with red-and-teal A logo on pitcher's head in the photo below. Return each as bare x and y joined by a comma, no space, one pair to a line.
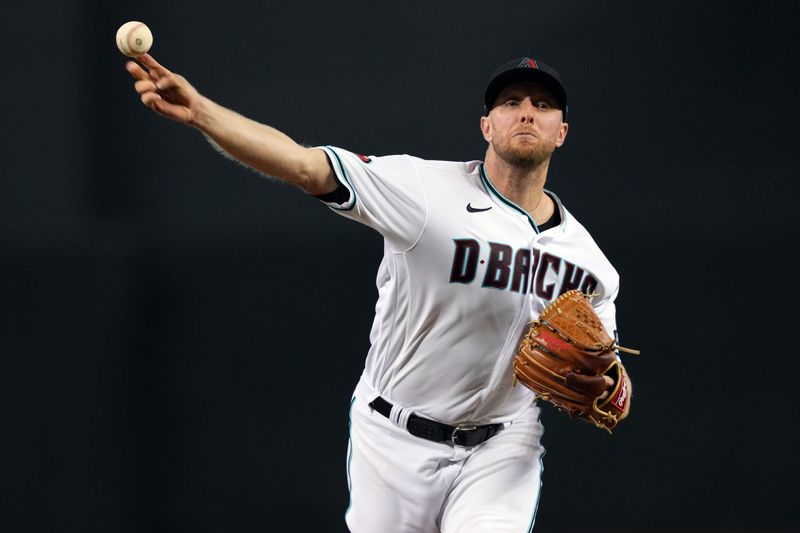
524,69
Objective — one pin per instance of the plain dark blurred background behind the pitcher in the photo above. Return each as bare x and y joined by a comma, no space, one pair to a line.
180,336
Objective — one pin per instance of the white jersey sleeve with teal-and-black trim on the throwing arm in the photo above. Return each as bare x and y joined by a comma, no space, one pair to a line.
385,194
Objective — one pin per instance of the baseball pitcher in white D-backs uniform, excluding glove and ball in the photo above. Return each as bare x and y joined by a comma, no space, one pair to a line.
440,439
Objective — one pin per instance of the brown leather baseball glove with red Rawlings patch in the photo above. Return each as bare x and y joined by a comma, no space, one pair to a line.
564,357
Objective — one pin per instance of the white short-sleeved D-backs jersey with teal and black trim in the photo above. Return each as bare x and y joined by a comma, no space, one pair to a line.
464,269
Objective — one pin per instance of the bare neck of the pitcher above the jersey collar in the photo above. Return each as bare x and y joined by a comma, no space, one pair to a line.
523,186
